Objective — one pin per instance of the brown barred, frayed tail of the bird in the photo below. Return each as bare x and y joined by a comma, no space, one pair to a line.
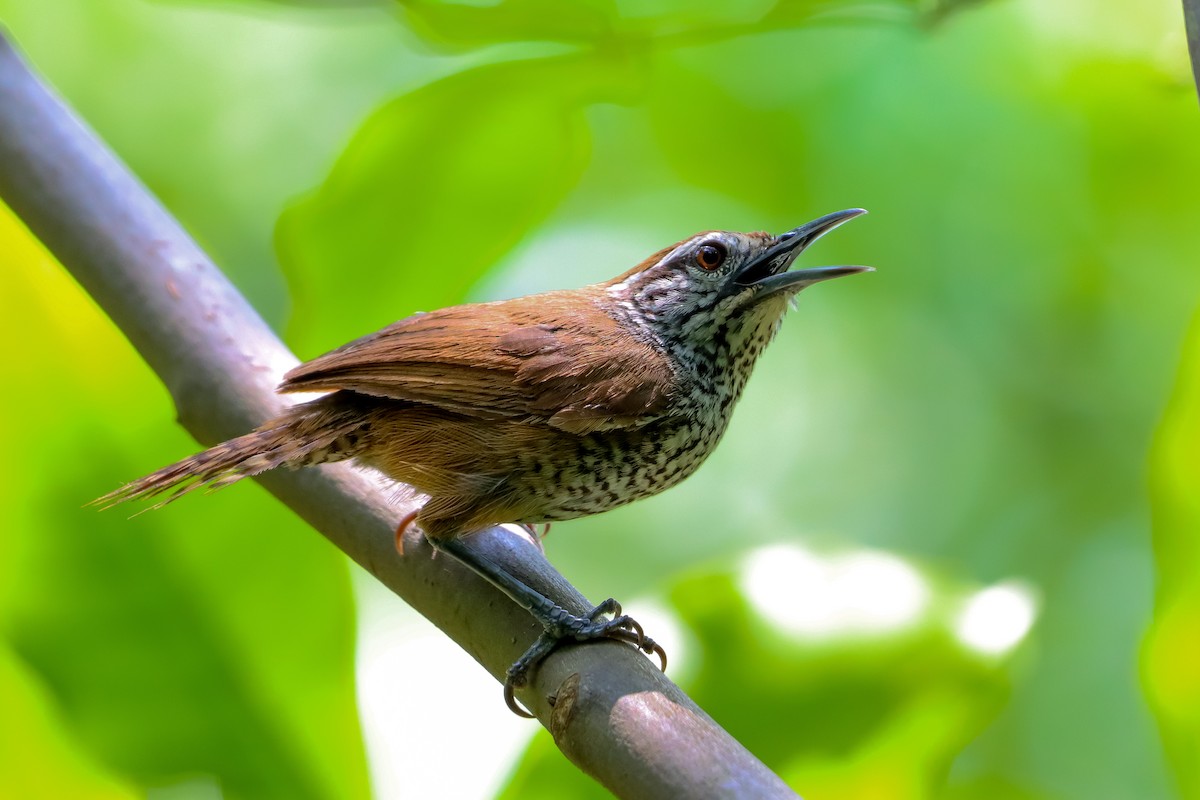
311,434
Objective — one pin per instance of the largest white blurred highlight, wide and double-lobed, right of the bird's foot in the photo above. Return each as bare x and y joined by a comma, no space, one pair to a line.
817,597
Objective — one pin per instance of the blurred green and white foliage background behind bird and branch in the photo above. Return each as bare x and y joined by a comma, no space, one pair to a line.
951,545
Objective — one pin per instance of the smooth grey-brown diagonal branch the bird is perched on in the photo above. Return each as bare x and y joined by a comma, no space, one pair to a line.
615,715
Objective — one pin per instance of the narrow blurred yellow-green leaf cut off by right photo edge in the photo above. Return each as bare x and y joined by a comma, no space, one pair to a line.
1172,651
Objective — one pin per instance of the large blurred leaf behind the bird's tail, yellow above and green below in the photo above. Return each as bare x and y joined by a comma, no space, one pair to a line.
176,647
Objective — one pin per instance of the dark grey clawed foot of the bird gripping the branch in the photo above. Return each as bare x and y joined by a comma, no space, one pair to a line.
605,622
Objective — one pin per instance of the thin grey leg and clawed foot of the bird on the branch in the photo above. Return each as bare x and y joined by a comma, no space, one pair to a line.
559,624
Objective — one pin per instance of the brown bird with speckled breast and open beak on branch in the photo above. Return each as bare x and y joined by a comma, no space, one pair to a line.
542,408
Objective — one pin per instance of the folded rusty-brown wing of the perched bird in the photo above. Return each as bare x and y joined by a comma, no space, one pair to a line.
550,359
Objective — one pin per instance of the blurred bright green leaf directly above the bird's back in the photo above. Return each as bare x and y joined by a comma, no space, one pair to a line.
434,190
